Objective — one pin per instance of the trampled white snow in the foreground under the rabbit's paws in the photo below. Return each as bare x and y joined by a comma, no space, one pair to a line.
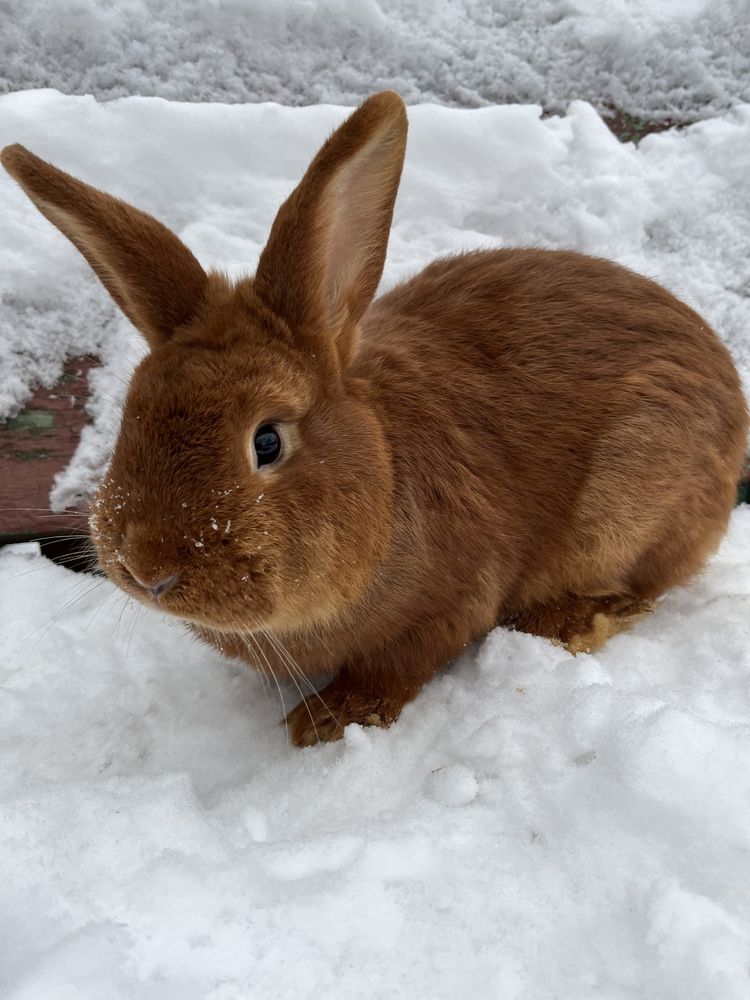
536,825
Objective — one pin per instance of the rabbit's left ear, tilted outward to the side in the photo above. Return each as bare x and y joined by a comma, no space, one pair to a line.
147,270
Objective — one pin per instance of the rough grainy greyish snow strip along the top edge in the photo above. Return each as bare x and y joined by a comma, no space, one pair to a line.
683,59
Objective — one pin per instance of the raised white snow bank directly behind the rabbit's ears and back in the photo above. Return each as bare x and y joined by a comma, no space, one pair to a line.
676,207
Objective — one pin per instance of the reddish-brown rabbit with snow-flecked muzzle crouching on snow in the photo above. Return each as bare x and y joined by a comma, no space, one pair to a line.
323,484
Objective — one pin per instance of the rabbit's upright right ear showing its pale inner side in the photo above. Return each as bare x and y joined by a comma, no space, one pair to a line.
325,255
